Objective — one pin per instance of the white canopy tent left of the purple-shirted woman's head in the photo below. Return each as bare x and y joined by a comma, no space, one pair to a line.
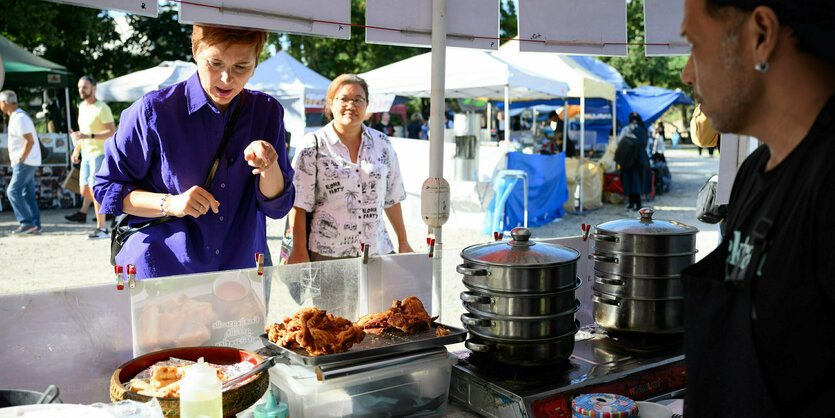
131,87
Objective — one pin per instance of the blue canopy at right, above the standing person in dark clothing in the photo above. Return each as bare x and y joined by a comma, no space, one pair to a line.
650,102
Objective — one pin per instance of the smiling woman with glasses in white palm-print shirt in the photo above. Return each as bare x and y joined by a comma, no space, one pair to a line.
347,176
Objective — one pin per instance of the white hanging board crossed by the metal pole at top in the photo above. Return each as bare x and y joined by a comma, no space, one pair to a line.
470,23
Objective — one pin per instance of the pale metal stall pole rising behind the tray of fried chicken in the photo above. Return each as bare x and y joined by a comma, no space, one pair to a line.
436,137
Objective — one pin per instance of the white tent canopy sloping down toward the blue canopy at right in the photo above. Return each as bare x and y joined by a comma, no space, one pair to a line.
581,82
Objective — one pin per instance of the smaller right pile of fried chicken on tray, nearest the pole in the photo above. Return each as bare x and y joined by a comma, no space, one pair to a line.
407,315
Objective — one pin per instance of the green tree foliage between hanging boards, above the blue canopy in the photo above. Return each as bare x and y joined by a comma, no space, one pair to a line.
638,69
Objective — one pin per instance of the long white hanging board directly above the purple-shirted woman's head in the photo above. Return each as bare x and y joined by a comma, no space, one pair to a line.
328,18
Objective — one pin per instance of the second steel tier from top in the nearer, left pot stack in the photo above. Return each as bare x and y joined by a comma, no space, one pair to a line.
519,304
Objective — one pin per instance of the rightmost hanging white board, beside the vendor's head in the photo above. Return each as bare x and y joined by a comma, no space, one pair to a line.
662,24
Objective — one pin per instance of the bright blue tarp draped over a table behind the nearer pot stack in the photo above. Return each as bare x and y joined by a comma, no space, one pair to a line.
547,192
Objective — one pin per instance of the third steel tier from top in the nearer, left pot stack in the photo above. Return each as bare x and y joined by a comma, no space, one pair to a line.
519,327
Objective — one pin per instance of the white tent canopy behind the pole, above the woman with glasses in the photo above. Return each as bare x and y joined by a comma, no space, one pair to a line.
469,73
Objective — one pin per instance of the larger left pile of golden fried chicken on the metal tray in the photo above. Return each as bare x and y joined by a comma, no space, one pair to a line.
316,331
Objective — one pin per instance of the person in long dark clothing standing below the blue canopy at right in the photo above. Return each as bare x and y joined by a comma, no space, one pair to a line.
637,178
